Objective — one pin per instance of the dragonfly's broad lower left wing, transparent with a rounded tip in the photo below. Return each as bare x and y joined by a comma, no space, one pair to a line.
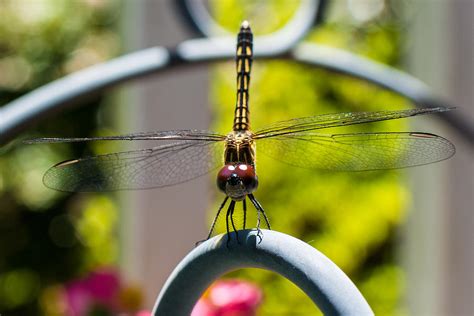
140,169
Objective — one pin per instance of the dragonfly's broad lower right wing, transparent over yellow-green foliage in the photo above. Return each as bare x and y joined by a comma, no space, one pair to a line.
357,152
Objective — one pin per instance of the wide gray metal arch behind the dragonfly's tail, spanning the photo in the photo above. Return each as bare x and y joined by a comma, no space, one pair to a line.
61,94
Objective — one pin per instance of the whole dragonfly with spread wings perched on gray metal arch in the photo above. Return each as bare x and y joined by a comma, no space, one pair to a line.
300,142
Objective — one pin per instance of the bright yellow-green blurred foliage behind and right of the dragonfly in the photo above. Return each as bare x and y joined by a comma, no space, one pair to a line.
350,217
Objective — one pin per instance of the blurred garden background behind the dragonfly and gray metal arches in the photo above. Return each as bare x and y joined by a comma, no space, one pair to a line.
404,237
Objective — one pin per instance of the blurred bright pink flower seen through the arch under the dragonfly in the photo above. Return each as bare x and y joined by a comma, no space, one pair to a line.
229,298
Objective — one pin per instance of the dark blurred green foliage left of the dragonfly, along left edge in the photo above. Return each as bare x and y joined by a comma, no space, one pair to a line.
46,237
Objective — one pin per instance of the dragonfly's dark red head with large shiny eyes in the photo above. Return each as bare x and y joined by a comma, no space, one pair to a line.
237,180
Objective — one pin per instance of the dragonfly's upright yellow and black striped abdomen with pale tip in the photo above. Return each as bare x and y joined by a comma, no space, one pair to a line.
244,65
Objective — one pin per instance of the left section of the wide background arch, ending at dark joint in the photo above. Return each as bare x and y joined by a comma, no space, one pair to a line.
19,114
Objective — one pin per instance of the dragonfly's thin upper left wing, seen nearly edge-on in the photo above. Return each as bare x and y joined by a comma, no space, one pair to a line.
162,135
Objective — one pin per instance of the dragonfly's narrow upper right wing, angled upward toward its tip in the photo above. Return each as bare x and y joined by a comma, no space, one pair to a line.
338,119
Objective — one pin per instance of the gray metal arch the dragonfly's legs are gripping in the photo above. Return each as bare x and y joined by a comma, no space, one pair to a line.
327,285
